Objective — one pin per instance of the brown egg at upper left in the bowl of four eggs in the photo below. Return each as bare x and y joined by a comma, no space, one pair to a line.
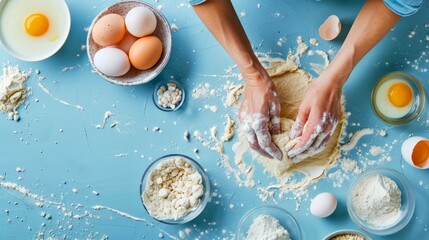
109,30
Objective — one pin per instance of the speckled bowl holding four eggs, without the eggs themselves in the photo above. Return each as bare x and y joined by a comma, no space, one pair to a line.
133,76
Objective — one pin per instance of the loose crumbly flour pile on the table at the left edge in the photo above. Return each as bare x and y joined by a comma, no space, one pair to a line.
12,91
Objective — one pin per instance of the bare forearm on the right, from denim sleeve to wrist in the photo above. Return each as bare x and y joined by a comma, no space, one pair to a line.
373,22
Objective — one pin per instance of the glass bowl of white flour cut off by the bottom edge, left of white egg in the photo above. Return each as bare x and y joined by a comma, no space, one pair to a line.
268,222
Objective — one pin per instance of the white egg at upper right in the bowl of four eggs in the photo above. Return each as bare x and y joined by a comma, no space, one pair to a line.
140,21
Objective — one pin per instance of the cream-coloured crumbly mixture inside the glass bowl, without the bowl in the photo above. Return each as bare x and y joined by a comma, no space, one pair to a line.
173,189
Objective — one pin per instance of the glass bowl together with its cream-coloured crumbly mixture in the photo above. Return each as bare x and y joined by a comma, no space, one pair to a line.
174,189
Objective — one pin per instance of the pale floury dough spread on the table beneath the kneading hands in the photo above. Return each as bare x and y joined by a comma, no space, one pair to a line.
291,83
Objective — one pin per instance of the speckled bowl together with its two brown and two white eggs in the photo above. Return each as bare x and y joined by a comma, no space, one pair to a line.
129,43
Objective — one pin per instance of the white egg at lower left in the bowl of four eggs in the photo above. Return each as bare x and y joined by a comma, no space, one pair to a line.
112,62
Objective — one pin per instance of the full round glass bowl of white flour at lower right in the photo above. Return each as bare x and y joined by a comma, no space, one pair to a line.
381,201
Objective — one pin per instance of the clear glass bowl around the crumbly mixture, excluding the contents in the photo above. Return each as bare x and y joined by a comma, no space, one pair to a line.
203,199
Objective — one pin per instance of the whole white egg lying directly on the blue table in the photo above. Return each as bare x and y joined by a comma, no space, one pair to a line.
323,205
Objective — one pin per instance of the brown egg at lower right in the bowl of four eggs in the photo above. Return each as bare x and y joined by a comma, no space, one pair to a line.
145,52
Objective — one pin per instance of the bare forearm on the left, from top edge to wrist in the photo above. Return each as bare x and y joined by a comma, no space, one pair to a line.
222,21
